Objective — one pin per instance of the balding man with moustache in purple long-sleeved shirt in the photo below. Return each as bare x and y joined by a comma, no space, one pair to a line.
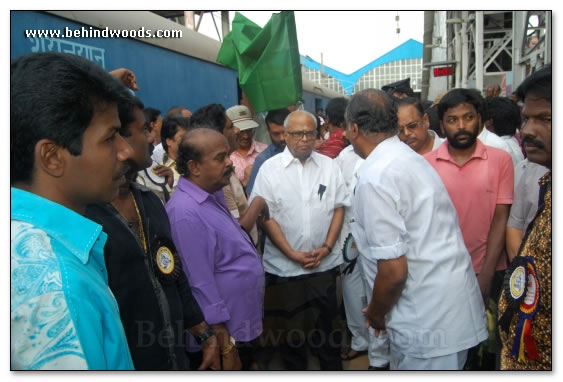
225,272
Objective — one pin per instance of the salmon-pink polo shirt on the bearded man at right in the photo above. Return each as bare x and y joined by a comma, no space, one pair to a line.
476,188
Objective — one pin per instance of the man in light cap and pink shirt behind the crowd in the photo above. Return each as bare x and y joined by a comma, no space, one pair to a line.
248,149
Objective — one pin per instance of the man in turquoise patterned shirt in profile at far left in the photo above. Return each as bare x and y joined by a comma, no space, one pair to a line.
65,153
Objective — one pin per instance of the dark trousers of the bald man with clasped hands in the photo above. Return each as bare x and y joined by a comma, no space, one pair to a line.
299,312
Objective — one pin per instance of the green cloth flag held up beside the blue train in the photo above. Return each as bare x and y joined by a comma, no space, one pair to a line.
266,59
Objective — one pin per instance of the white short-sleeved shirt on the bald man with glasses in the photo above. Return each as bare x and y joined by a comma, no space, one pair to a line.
301,199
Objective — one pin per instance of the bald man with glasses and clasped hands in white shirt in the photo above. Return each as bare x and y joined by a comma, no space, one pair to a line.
306,195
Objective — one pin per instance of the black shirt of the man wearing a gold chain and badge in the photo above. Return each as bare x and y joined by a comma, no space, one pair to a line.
154,312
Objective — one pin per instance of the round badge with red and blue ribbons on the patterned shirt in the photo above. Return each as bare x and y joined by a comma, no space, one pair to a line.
522,292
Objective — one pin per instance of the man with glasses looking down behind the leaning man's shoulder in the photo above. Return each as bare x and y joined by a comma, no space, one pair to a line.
414,126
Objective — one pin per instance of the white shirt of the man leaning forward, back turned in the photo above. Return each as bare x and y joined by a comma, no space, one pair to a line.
403,208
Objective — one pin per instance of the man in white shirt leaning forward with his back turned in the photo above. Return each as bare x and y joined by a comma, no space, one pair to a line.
425,293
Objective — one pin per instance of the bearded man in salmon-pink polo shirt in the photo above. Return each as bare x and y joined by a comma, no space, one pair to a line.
480,182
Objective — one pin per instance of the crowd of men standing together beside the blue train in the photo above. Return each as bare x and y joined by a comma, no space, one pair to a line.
184,242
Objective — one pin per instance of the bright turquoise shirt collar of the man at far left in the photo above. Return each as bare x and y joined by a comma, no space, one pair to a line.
79,234
